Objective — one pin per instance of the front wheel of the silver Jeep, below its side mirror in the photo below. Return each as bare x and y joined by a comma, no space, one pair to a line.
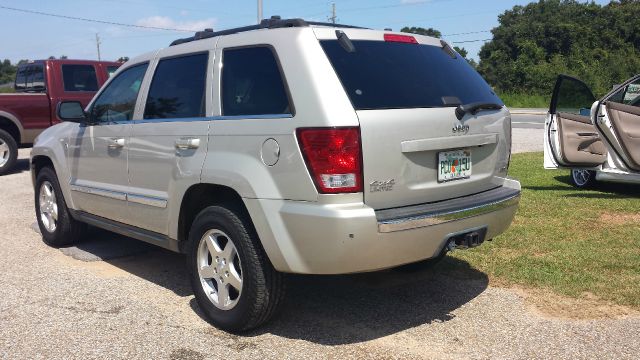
56,225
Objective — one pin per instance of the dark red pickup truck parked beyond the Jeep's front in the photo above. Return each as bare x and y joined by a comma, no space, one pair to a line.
40,86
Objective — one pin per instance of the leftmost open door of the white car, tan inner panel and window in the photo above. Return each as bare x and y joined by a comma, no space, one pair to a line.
571,138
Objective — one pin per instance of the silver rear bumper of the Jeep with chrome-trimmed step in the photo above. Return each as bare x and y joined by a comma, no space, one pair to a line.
315,238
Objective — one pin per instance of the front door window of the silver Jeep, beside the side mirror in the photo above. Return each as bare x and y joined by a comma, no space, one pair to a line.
118,100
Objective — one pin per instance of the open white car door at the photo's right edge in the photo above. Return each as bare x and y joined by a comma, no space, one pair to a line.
618,120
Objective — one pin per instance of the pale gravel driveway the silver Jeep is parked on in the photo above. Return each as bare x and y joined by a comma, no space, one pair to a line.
136,303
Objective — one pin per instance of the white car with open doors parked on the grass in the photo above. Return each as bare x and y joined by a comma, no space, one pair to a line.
598,140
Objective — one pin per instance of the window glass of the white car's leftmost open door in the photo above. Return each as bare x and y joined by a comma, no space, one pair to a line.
573,96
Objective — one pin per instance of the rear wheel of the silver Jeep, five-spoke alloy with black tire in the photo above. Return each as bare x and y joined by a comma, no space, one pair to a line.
234,282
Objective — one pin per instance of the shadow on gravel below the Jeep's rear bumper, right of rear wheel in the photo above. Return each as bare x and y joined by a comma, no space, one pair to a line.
337,310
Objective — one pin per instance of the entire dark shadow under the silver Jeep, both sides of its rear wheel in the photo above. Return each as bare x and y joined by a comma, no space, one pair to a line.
328,310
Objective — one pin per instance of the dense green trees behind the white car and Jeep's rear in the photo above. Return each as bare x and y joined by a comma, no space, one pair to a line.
532,44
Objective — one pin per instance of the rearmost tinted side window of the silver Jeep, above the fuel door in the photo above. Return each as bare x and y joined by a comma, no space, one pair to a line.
252,83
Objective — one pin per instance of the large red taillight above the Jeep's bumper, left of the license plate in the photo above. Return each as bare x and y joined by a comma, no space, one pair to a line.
333,157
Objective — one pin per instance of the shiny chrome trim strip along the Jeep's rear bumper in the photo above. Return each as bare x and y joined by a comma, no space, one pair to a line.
436,218
